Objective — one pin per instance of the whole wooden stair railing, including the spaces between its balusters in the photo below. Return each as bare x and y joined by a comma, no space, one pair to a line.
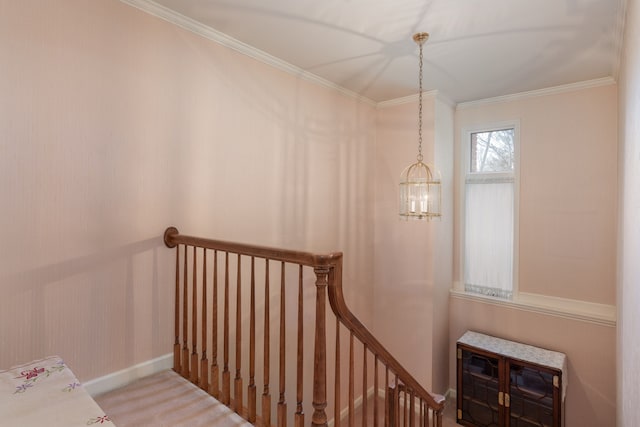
347,377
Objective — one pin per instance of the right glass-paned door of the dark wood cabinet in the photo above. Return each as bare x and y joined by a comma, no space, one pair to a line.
531,392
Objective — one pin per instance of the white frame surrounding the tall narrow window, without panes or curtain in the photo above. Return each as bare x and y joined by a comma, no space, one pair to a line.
465,158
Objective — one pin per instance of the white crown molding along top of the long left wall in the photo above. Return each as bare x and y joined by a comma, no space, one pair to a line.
173,17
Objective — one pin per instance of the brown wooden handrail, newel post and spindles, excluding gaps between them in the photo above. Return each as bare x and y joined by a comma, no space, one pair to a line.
328,272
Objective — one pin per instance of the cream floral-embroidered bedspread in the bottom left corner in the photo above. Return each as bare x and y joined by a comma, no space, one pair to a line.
46,393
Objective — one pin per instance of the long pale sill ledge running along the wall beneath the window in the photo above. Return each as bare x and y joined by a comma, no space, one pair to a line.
600,314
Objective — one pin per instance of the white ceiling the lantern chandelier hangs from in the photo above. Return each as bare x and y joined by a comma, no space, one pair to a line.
477,48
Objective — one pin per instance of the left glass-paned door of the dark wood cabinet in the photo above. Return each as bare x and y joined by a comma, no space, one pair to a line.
478,388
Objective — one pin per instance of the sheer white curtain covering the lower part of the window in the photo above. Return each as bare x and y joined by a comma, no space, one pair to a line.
488,254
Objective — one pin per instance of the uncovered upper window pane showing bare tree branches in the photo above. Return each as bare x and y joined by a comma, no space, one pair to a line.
492,151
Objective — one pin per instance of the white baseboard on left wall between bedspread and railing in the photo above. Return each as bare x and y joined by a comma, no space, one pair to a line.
121,378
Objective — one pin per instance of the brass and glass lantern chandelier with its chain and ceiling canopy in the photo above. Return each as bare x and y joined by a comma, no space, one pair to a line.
420,183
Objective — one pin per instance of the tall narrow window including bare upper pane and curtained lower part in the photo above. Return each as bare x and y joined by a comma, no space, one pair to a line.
490,211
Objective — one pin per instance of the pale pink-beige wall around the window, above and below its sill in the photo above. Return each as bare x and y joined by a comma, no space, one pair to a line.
567,229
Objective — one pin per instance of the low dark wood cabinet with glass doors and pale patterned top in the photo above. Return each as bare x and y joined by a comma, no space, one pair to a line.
504,383
